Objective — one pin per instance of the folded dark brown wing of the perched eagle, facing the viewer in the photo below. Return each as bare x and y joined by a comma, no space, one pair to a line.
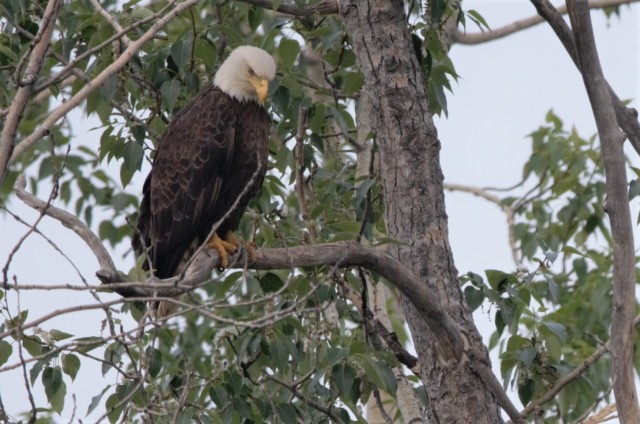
183,187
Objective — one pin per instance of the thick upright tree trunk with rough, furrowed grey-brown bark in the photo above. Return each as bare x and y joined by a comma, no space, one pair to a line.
414,200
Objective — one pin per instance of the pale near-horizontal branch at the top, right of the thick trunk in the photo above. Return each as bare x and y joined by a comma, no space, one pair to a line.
467,38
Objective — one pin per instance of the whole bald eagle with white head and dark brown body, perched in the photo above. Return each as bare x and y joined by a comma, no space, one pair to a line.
210,163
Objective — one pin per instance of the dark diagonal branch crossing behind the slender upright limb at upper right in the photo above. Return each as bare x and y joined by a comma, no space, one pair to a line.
627,117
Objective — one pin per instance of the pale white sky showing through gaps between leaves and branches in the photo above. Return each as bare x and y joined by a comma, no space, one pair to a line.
506,88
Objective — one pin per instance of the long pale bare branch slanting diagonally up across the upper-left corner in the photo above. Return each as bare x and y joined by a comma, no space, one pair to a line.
114,67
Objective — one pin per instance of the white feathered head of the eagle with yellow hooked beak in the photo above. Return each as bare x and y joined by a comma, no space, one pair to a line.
246,73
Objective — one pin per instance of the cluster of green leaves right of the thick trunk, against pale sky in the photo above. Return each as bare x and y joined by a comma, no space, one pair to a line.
561,230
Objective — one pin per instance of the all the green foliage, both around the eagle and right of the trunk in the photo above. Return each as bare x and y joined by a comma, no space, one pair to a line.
288,345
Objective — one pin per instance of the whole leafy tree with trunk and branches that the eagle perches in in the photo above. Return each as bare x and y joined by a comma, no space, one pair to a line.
353,203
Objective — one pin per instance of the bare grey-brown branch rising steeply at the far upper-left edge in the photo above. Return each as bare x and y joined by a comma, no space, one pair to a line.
27,82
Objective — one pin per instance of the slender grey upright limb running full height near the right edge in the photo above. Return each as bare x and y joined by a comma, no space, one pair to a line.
617,208
